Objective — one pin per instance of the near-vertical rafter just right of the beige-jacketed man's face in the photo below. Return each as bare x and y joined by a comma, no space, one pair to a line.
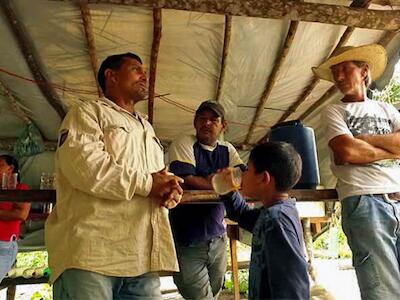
157,27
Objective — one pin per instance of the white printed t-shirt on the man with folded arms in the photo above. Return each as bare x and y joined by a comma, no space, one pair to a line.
356,118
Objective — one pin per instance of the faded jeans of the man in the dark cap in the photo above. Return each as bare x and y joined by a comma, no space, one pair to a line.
202,269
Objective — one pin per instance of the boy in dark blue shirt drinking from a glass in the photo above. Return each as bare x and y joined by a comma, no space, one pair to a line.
278,269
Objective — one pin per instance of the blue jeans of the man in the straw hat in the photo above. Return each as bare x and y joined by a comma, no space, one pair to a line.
371,224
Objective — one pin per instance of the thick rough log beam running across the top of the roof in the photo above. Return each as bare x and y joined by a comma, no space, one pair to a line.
272,9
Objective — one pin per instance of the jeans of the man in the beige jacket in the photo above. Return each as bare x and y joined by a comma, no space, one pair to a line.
78,284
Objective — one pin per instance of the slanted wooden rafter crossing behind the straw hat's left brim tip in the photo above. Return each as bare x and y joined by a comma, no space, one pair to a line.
343,40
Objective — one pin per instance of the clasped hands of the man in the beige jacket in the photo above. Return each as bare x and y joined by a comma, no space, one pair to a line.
164,184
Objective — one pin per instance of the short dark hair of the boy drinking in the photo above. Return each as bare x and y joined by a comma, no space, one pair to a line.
281,161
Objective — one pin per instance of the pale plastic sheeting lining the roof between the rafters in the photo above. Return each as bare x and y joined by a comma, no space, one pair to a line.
189,64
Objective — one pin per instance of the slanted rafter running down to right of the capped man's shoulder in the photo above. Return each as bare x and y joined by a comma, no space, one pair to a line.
272,78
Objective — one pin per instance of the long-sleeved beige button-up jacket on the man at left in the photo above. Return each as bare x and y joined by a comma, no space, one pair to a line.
103,220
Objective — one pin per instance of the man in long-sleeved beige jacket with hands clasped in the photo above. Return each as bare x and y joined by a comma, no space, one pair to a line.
109,235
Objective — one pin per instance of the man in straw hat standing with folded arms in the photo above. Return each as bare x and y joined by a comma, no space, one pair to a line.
364,139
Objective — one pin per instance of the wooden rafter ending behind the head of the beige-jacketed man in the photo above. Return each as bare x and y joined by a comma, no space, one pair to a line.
88,28
